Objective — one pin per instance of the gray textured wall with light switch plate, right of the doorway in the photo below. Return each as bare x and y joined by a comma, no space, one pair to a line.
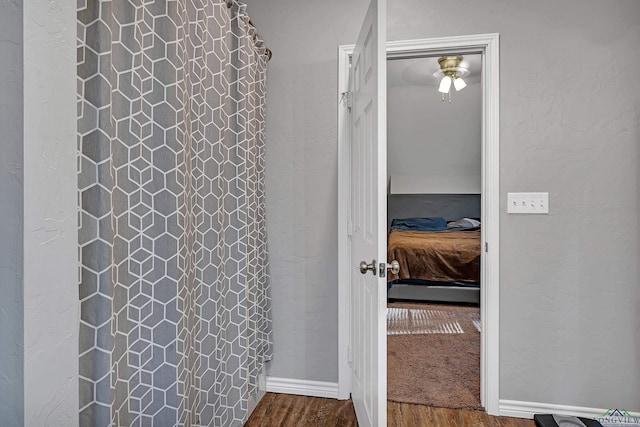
569,281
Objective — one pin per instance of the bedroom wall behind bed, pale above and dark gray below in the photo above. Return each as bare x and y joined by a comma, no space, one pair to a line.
433,143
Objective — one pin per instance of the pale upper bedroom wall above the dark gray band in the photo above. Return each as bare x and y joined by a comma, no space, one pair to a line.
438,141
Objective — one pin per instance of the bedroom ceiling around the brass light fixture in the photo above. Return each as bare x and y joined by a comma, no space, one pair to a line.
419,71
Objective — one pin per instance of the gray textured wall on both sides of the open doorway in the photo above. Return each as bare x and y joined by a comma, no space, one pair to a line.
570,324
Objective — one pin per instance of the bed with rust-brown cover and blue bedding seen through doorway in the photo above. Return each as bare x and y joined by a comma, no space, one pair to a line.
438,261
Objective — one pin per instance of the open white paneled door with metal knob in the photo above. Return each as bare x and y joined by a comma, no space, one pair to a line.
368,339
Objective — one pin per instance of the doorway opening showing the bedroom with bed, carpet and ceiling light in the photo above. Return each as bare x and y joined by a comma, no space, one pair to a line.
434,222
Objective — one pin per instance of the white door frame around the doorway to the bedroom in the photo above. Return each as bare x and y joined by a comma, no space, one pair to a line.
488,46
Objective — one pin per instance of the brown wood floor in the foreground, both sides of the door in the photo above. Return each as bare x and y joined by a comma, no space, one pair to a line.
285,410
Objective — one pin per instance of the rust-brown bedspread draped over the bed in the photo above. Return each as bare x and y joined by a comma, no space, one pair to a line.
444,256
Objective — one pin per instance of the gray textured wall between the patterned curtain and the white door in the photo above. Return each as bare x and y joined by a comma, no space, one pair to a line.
302,178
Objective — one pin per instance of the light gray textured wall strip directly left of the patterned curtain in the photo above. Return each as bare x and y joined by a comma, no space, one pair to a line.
50,215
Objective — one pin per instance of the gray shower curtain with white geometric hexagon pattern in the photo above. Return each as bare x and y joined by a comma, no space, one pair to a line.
174,289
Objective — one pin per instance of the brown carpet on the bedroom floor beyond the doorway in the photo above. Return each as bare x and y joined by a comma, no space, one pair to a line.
433,355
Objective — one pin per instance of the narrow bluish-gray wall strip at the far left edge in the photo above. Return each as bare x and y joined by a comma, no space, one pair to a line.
11,306
